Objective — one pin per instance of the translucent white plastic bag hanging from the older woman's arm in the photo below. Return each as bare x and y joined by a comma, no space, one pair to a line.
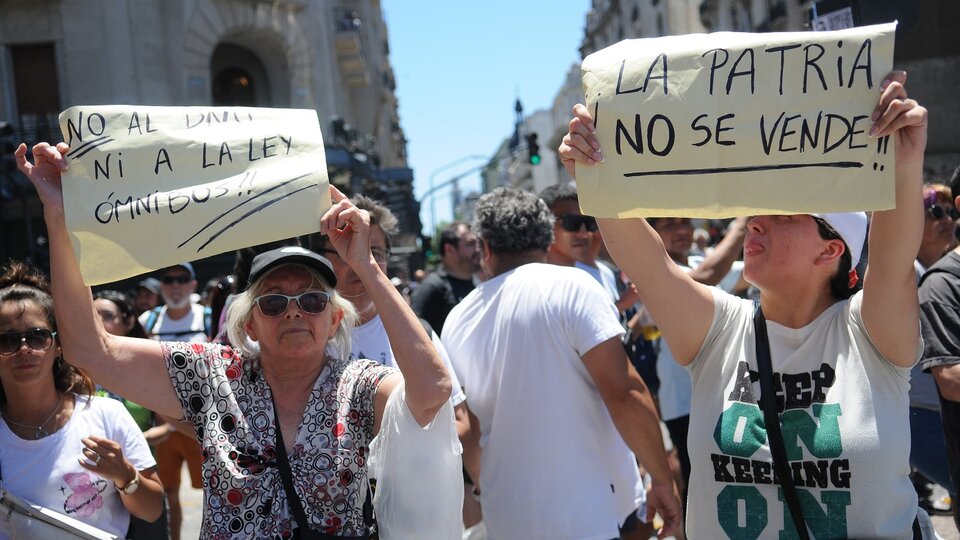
418,470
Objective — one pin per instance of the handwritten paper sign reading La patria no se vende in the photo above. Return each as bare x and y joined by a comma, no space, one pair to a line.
728,124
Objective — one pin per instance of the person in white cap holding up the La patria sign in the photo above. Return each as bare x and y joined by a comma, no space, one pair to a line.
840,359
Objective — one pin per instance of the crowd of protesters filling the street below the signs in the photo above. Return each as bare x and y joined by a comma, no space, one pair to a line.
606,376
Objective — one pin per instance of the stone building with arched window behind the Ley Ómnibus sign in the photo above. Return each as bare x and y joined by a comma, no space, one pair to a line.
331,56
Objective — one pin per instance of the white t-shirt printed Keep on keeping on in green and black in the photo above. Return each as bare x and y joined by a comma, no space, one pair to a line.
843,414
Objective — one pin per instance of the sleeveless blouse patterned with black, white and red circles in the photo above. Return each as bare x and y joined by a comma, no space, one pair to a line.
229,403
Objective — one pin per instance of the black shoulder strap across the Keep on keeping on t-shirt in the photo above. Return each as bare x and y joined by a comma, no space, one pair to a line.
771,420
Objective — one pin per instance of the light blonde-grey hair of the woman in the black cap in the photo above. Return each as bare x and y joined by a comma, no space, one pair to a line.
241,310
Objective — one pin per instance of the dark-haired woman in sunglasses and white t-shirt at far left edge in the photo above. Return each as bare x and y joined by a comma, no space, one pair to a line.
62,447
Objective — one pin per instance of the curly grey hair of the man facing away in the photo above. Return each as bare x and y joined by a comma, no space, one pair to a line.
511,220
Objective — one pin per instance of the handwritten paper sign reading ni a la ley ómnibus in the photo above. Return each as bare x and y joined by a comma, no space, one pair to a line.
149,187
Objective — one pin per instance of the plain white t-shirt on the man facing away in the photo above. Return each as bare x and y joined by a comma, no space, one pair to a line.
554,465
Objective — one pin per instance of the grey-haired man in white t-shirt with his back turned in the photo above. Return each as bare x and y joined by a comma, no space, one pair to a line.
560,411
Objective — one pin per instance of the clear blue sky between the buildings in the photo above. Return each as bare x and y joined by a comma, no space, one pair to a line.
460,65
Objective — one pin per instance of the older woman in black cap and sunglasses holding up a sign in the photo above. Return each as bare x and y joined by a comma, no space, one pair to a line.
297,402
